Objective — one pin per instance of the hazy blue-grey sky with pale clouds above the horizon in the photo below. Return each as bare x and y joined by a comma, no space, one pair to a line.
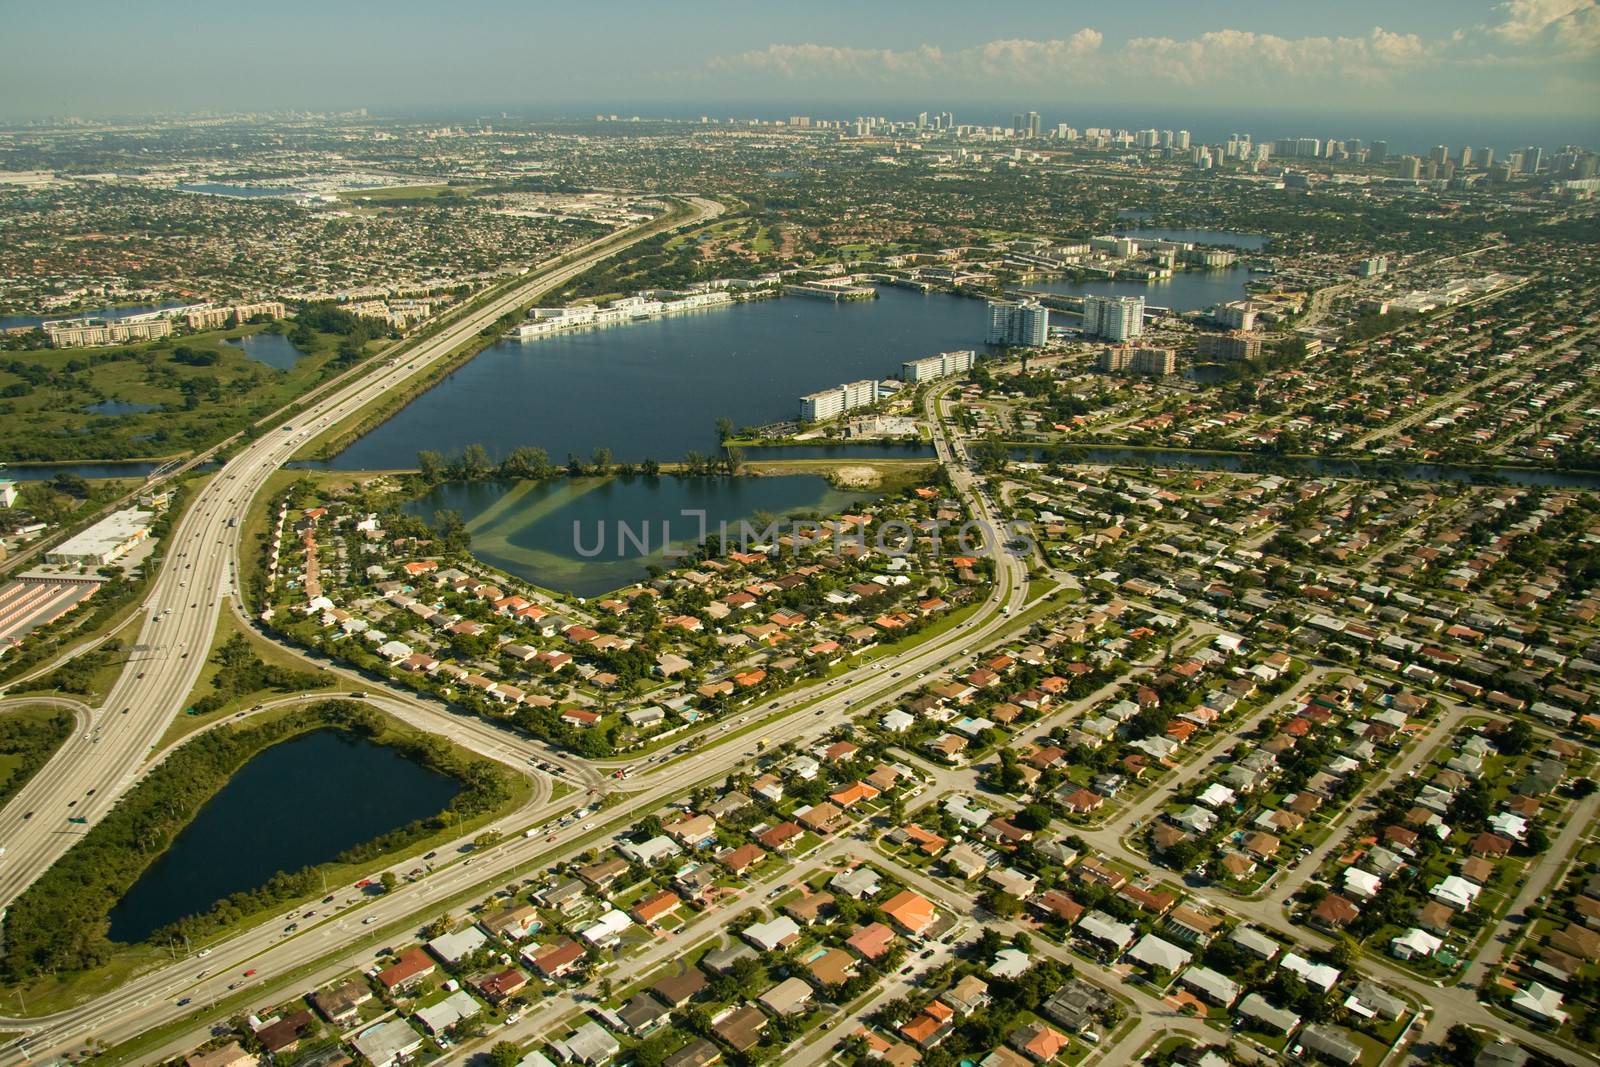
1458,60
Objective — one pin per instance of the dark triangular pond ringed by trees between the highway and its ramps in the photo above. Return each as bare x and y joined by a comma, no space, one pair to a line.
298,804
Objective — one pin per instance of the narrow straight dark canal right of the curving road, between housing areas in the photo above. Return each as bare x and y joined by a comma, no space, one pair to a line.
1321,468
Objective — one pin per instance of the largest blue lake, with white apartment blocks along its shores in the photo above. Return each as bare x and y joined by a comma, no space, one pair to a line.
657,388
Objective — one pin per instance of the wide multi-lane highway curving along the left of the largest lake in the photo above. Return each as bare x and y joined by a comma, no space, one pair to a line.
97,767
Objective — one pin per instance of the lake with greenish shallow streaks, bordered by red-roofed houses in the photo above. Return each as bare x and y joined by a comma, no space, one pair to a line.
564,535
